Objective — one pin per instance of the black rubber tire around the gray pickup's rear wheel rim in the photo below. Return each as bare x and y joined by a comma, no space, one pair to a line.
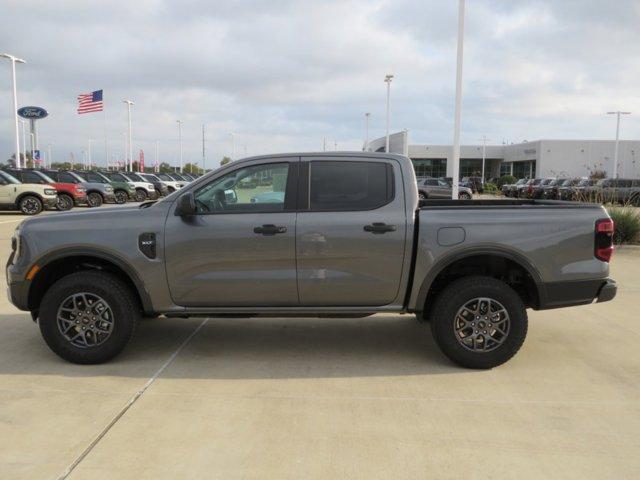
445,313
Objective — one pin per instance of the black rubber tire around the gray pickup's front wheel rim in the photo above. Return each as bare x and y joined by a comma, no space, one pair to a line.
119,298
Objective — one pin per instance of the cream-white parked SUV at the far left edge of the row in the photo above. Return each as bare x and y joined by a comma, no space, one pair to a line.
29,198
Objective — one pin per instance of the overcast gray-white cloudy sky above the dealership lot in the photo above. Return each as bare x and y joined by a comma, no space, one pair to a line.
283,74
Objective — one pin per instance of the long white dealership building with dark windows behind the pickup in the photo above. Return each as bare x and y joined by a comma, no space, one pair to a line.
540,158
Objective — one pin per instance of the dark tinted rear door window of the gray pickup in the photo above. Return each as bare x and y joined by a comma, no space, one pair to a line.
340,186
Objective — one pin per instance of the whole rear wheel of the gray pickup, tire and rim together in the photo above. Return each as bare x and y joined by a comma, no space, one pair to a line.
479,322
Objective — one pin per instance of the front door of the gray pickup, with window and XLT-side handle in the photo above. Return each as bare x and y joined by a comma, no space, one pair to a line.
239,249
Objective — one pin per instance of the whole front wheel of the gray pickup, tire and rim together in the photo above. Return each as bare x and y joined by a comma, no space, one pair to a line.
88,317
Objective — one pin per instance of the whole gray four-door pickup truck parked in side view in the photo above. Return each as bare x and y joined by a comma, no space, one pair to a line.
324,234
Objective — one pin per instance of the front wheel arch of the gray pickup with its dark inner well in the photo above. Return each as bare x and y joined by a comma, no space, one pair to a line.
58,264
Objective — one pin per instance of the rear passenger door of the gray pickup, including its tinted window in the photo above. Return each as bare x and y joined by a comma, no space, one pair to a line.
350,232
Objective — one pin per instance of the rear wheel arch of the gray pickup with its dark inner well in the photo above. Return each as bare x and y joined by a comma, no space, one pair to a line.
512,267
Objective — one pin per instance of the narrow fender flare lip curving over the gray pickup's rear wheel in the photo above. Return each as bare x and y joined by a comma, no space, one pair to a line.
455,256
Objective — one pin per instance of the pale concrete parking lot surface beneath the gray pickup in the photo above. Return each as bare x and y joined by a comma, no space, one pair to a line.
327,398
